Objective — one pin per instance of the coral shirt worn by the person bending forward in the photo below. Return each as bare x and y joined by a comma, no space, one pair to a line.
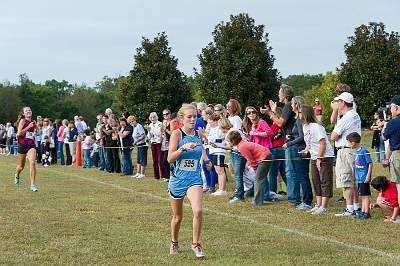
253,152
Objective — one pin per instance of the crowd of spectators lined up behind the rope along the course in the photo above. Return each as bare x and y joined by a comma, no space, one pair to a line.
275,153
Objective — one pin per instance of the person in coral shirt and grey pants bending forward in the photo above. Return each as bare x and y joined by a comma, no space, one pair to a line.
259,158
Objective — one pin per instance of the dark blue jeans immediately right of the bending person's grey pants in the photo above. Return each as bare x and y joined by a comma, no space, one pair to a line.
277,167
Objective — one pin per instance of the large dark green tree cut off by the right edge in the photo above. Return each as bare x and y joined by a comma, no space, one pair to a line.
372,68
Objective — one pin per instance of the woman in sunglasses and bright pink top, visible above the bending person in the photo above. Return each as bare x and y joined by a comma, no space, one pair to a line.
258,130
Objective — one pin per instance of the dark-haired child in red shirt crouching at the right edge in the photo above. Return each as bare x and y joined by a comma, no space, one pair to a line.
387,198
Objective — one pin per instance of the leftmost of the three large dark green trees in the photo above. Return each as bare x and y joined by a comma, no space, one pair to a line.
154,83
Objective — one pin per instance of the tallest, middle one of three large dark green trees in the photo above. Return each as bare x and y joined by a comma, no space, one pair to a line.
238,64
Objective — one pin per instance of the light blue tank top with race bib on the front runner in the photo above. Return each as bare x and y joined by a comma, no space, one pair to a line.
187,166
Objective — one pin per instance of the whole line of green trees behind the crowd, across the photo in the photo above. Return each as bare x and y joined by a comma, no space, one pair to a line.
238,63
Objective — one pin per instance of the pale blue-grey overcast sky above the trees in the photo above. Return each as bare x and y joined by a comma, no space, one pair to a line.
83,41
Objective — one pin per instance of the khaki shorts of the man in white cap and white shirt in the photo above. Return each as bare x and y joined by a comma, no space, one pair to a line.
344,168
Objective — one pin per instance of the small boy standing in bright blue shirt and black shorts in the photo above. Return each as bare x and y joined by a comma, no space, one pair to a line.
363,169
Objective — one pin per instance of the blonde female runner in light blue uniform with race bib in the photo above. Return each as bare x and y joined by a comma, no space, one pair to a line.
185,154
